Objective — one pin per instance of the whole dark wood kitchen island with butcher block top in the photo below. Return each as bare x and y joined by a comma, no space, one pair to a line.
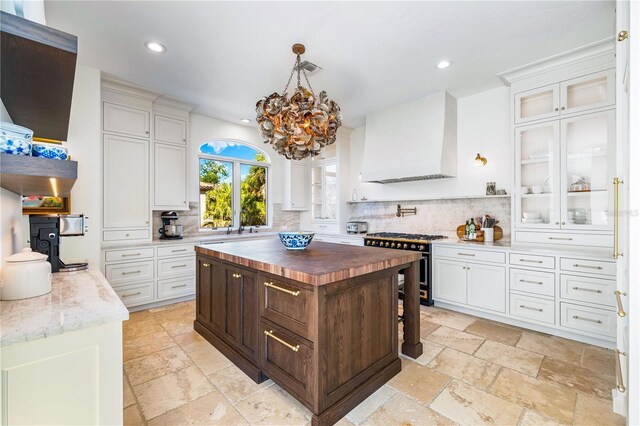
322,322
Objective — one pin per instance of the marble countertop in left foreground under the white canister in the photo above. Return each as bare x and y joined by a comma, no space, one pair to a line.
77,300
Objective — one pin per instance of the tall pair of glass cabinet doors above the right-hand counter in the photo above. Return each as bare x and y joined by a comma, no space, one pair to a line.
564,173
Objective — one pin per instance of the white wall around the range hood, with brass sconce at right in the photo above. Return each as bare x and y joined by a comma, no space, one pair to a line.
483,127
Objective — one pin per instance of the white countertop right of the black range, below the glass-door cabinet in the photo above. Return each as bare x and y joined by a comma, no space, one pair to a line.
507,245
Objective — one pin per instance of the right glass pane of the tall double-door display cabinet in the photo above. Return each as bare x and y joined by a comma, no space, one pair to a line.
587,171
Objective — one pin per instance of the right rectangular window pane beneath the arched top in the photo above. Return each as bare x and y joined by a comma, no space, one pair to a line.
253,195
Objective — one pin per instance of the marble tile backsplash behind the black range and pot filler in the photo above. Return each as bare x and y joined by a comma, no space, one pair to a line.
433,216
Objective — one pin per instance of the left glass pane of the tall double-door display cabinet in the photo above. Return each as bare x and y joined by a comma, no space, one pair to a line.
537,180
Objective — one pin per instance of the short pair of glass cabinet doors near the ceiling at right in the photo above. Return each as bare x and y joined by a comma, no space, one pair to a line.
567,97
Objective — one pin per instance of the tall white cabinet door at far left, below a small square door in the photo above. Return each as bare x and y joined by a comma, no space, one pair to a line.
126,182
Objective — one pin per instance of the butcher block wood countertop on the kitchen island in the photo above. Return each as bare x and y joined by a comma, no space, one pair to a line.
321,263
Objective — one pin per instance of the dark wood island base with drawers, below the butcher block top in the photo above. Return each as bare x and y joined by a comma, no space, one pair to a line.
320,343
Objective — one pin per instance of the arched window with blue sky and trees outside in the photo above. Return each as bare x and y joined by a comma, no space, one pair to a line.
233,184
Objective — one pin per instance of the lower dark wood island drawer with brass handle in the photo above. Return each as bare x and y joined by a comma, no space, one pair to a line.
287,359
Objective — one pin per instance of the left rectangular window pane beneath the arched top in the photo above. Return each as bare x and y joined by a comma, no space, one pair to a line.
215,193
